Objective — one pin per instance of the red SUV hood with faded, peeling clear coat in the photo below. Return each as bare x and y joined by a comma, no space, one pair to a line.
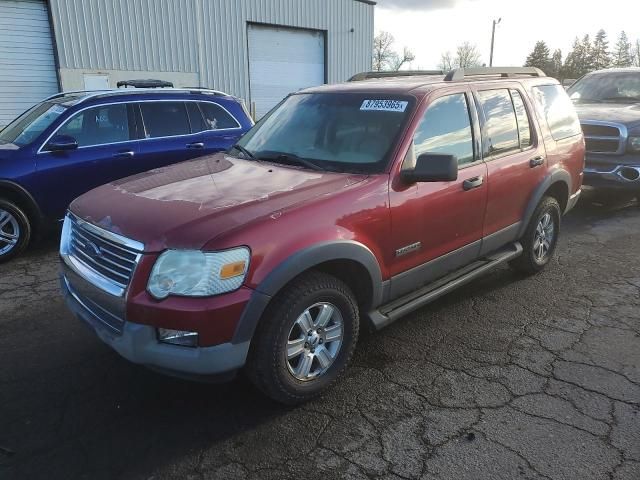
188,204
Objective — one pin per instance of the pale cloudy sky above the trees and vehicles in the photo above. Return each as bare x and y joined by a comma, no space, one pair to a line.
431,27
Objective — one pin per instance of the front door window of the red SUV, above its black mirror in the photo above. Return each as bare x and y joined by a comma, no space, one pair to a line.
446,128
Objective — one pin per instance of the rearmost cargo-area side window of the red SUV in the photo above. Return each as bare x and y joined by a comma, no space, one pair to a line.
554,103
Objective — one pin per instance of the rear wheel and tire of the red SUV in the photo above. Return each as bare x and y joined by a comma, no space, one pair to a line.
540,239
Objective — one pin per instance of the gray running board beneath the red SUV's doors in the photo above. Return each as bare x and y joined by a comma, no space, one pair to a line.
392,311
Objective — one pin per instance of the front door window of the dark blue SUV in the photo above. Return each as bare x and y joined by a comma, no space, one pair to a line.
99,125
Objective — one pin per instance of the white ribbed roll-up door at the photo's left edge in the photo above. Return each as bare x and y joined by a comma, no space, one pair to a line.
27,67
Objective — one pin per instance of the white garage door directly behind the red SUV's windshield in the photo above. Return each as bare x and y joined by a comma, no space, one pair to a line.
281,61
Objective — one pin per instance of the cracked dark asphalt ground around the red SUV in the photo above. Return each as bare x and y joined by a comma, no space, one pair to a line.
508,378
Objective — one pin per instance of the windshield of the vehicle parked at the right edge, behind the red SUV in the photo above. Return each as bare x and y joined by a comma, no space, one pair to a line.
607,87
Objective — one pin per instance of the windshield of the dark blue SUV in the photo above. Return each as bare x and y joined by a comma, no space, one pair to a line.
28,126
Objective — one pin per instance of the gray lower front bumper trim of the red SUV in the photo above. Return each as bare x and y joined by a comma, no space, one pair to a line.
138,344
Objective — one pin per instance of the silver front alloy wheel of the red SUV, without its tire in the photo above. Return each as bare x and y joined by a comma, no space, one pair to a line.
314,341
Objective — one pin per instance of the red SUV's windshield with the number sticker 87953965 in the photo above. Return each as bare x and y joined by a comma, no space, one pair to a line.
330,131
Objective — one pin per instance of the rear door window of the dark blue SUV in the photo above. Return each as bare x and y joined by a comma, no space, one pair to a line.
165,119
